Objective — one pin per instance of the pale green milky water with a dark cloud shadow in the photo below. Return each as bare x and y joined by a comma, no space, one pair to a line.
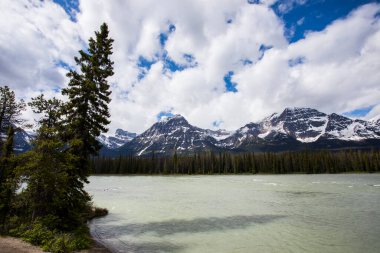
242,214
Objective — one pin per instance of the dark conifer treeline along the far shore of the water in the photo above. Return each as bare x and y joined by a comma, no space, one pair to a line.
246,163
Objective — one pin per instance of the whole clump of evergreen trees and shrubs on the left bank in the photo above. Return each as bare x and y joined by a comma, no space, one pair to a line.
42,194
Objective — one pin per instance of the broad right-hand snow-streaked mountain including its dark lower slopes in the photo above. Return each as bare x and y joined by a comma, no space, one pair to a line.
303,128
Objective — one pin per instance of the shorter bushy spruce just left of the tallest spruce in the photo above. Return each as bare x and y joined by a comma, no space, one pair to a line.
47,169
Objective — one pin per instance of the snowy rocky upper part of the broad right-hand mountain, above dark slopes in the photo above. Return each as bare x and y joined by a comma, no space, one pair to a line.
304,125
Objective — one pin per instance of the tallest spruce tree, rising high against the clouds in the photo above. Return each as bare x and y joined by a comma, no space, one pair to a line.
88,92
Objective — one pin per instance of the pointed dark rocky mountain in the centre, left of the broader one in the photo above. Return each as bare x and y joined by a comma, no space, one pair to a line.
173,134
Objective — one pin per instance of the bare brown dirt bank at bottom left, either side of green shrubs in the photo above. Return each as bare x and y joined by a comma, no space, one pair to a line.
10,244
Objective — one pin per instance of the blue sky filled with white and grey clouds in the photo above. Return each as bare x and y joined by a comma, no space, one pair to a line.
219,63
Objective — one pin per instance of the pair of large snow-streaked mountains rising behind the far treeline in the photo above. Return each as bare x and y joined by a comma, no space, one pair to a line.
292,129
